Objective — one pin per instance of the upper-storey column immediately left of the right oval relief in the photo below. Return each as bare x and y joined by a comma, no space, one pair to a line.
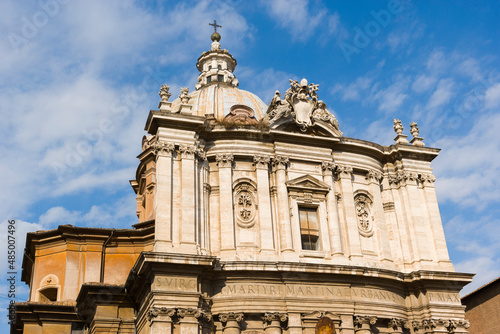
351,220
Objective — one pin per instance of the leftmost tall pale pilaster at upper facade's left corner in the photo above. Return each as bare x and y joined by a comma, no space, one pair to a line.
163,197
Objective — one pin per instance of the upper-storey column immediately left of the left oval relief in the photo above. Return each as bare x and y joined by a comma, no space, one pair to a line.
224,162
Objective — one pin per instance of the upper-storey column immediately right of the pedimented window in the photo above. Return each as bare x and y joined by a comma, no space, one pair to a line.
333,216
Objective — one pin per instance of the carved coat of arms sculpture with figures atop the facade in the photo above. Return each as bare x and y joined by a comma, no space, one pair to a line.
300,102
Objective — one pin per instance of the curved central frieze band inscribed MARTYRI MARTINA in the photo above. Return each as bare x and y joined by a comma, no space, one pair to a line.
309,291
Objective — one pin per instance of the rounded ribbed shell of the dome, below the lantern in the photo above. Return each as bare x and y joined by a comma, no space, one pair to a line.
217,100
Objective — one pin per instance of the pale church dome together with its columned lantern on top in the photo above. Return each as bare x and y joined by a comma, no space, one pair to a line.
217,92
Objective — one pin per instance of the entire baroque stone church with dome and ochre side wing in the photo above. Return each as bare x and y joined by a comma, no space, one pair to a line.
255,218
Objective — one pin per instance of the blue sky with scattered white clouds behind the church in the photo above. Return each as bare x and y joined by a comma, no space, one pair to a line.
78,78
